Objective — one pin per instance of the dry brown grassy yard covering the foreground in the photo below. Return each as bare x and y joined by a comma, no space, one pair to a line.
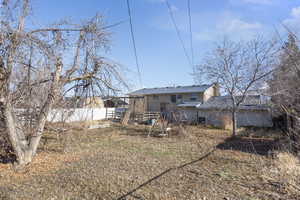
123,163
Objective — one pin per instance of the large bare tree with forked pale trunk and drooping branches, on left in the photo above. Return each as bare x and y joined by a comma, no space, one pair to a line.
39,67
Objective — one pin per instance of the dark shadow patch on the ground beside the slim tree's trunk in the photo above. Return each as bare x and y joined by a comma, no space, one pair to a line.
261,146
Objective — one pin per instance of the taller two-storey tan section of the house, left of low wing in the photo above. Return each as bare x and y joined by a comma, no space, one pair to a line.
167,99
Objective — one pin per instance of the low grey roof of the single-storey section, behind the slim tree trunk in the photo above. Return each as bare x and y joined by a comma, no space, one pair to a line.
251,102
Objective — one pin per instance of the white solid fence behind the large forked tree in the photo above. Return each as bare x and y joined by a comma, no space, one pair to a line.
78,114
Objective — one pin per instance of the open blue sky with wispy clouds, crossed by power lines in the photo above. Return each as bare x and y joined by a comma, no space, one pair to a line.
161,56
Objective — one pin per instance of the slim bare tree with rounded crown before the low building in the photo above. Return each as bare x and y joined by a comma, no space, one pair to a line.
239,67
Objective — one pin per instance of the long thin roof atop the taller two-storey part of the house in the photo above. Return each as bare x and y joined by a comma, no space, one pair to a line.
171,90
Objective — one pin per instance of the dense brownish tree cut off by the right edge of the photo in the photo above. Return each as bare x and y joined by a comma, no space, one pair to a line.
284,86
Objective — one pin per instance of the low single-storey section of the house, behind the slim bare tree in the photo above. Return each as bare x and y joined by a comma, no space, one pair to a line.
251,113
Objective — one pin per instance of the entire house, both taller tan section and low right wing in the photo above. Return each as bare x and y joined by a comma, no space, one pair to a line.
201,103
